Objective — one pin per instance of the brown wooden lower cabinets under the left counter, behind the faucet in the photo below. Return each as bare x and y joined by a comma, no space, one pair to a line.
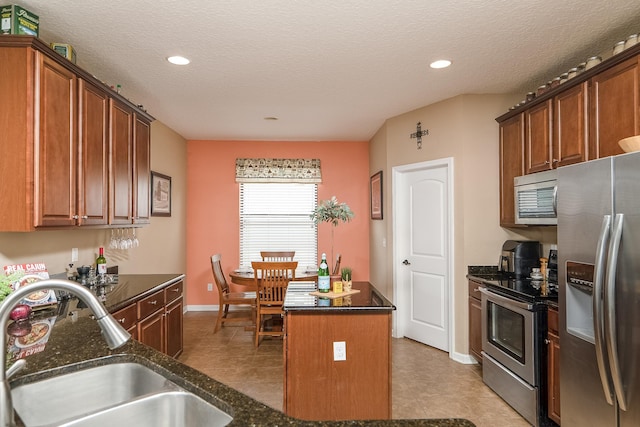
156,320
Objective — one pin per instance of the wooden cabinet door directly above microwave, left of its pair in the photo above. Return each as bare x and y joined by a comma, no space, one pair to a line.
537,153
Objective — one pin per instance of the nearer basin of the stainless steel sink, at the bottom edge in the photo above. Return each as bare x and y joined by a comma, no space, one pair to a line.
170,409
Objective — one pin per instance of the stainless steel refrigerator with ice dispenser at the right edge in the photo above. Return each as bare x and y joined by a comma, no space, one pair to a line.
599,291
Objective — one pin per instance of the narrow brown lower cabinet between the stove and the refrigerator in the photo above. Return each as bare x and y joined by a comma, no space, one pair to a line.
553,367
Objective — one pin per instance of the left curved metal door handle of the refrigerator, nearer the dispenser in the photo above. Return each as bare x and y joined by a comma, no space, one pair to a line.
599,272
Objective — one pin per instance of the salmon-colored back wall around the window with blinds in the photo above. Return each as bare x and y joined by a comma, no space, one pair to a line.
213,206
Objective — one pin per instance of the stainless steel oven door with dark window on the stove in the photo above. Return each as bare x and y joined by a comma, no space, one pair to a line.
508,334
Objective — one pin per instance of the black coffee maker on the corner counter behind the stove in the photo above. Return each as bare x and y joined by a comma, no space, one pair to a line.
518,257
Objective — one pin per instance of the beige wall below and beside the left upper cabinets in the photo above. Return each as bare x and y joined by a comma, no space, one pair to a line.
162,243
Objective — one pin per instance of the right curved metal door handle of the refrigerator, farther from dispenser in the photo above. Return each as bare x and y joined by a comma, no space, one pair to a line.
610,311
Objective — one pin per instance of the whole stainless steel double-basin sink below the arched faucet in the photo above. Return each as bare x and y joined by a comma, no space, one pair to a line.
125,393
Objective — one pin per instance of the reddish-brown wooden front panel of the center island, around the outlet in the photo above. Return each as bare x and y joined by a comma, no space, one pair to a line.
317,387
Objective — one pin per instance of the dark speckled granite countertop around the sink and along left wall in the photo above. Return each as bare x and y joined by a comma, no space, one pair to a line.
76,343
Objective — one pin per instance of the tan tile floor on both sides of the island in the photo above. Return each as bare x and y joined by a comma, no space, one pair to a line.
426,383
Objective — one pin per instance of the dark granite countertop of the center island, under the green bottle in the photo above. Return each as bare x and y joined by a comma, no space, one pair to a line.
367,298
